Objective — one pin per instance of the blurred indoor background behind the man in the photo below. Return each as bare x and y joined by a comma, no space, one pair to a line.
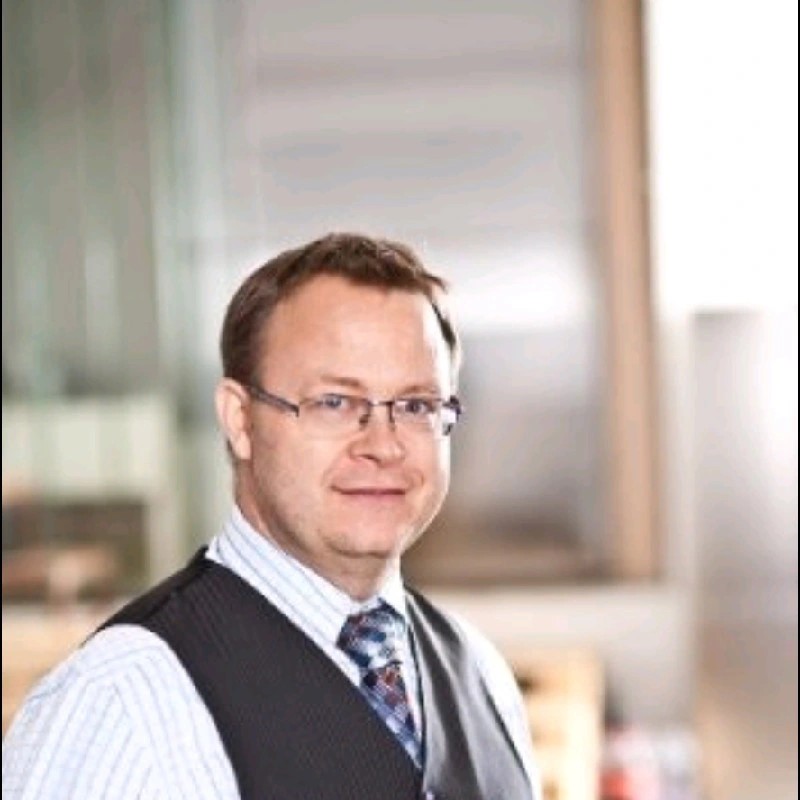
611,189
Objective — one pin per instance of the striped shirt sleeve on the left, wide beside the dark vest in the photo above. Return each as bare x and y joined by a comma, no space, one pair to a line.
120,719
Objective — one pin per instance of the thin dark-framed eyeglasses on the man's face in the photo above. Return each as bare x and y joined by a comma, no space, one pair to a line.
331,414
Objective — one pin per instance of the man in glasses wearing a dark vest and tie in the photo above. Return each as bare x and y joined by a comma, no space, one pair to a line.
288,660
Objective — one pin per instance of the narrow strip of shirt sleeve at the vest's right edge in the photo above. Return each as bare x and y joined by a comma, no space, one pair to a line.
503,688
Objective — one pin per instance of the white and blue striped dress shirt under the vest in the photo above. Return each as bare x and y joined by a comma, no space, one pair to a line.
121,718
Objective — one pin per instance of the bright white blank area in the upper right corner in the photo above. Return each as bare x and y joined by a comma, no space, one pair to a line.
723,117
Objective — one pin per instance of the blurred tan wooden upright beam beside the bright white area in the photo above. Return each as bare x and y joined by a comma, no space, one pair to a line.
624,248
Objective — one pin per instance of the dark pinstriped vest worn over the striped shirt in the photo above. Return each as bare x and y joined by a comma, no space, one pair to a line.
293,725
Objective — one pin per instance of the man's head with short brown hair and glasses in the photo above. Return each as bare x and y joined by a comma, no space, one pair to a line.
310,338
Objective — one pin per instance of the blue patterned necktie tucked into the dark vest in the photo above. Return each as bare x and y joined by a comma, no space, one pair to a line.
369,639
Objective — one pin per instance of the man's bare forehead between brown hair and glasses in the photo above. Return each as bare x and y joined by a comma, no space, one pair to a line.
371,334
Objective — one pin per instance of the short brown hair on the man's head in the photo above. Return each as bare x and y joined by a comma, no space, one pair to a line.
363,260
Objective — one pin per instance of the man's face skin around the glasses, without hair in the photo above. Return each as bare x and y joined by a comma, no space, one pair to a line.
350,504
